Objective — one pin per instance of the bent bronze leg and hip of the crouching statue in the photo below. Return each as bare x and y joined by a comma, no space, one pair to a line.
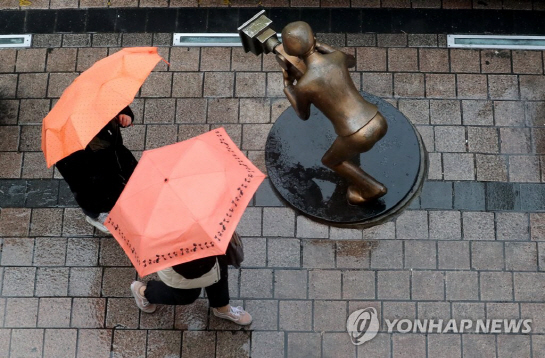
364,187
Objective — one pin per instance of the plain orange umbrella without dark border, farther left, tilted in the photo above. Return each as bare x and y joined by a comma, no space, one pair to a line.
93,99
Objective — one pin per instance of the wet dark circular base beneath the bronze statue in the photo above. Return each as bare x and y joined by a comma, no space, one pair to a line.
293,158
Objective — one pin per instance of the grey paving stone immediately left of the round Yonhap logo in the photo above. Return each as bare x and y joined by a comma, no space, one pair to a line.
330,316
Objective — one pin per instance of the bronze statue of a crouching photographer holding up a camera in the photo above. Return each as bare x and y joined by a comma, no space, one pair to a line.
323,80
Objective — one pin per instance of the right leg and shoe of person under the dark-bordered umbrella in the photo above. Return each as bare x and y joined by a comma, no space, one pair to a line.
218,297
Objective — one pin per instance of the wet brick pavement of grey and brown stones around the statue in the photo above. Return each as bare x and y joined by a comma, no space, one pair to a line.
471,247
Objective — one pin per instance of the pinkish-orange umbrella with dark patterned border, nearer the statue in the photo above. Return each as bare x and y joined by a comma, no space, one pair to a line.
183,202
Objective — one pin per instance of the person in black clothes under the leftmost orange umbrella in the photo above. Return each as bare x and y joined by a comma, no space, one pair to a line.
98,174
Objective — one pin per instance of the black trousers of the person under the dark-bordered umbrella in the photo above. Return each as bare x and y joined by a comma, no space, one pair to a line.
217,294
